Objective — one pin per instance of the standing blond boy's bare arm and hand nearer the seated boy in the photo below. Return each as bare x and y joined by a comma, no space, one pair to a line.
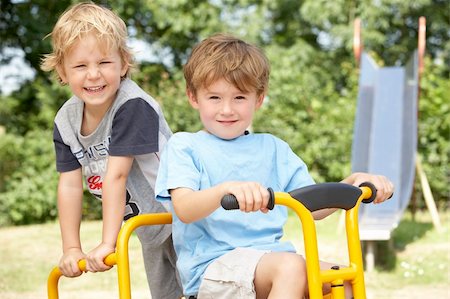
113,207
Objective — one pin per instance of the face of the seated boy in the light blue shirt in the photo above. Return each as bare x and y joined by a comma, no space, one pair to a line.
225,111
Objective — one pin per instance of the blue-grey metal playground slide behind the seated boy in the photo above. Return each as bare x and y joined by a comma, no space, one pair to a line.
385,139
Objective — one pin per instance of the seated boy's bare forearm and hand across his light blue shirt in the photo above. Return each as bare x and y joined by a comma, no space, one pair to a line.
192,205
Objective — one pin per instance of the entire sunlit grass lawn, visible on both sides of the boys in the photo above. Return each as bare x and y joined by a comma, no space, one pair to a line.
415,263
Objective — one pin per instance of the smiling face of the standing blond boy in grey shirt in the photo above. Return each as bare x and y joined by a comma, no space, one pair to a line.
93,72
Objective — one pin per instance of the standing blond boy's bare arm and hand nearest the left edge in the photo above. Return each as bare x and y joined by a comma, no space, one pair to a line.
70,198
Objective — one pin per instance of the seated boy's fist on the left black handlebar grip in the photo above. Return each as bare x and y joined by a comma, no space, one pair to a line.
251,196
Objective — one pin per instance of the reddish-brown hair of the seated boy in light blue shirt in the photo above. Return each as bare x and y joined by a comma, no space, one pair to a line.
224,56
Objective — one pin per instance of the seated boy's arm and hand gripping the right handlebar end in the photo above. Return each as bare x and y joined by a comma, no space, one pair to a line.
385,189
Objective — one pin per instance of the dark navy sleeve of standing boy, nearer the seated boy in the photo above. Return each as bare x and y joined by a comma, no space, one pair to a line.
135,129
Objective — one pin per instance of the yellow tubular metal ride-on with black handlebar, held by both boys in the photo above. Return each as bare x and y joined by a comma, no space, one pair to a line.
303,201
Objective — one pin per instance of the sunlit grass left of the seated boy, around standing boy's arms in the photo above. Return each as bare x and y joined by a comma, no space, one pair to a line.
28,253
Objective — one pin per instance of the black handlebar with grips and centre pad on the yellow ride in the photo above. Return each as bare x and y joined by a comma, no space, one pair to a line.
318,196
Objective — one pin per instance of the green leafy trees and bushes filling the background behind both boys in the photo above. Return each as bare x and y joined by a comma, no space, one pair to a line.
312,93
